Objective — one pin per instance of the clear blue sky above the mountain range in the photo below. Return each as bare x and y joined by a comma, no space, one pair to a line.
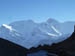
37,10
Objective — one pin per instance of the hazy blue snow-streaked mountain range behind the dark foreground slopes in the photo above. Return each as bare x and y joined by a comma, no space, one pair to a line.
30,34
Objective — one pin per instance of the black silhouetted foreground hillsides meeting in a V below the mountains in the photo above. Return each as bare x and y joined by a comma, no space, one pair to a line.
64,48
